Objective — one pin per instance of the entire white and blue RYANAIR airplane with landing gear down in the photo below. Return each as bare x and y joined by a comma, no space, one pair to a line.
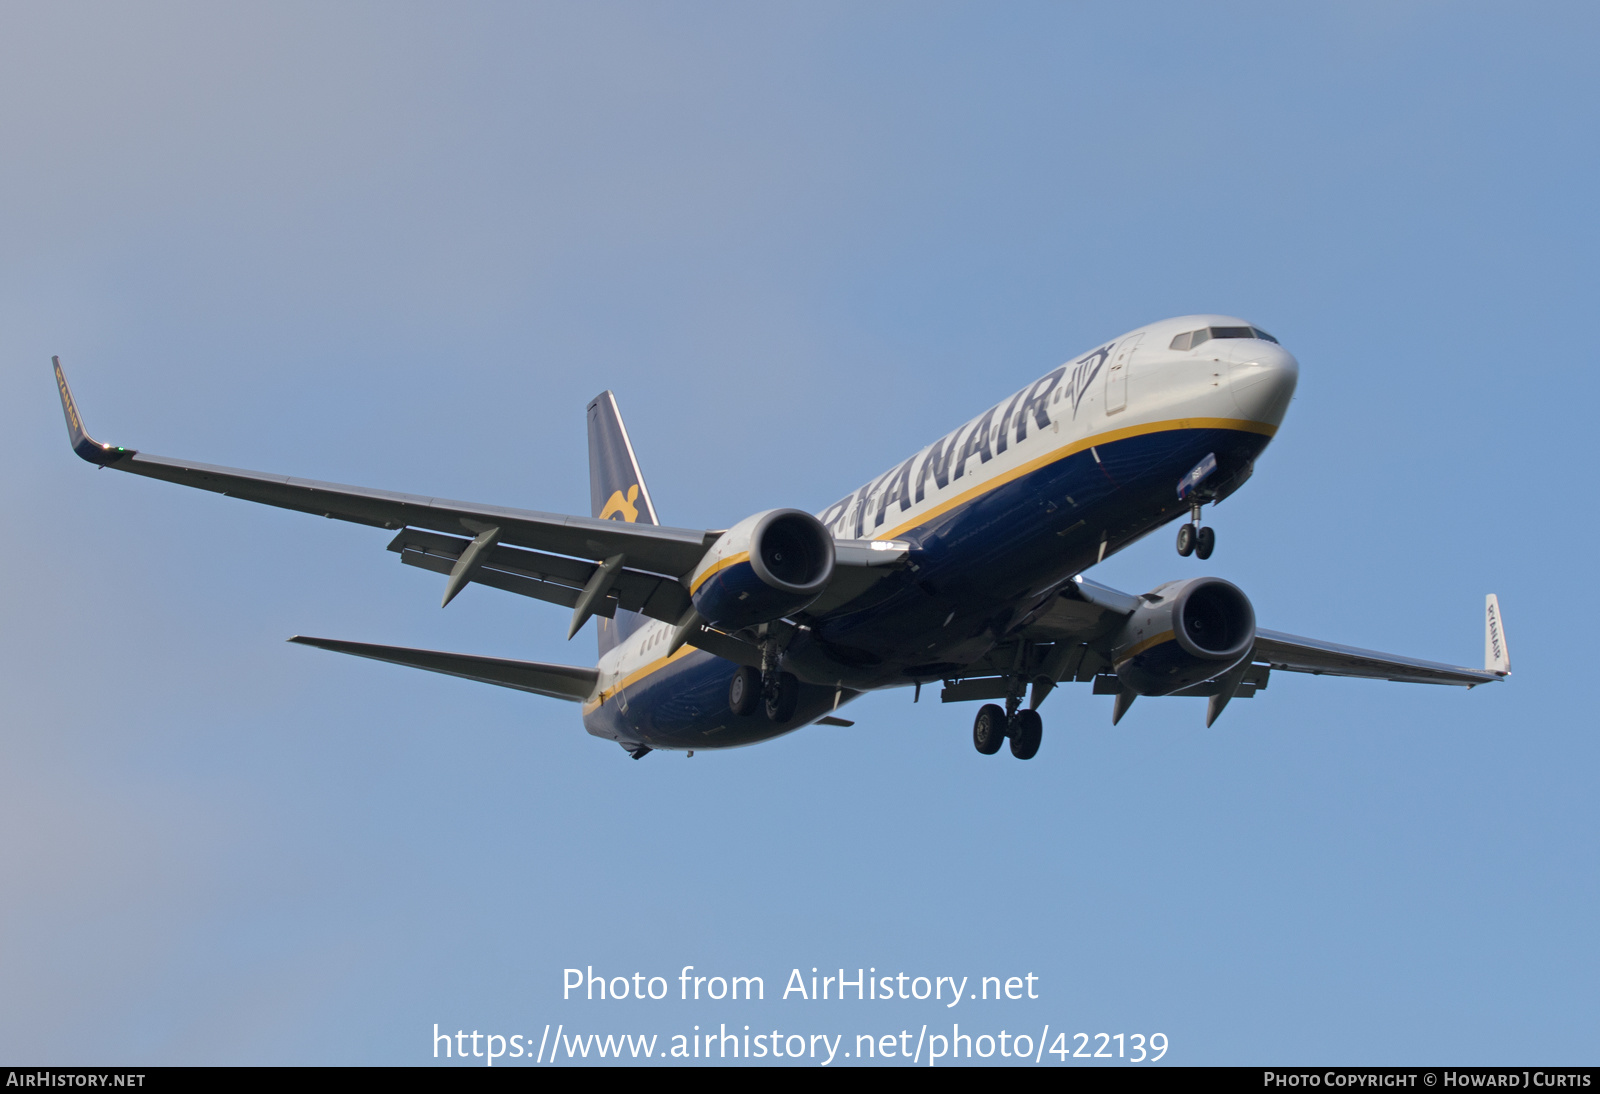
962,567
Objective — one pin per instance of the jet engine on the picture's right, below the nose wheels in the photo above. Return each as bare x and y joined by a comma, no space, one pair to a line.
1183,634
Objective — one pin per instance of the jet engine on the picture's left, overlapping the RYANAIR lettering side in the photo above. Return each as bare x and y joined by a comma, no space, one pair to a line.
764,569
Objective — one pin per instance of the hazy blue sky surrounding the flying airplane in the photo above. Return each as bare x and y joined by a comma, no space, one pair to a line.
404,246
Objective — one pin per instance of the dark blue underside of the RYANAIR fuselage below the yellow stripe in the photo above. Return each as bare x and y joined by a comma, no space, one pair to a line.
980,572
